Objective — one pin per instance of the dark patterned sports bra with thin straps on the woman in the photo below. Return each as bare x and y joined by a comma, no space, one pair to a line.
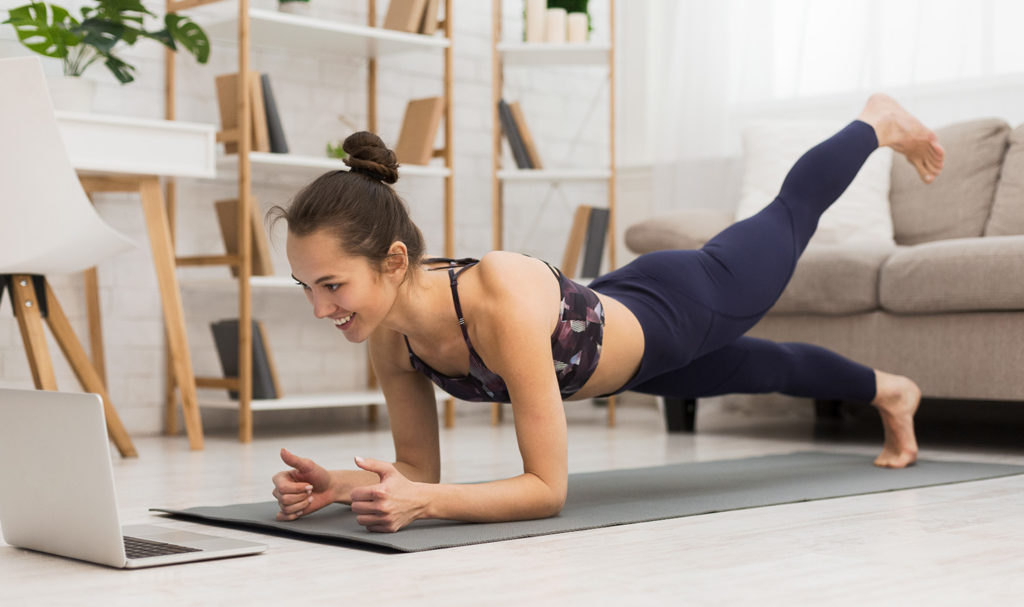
576,343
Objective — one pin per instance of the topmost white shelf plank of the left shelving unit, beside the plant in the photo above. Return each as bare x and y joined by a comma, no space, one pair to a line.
271,29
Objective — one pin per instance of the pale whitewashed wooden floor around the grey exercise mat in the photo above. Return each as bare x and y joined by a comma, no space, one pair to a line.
956,545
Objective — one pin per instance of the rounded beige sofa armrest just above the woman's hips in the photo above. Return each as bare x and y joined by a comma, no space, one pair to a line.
685,230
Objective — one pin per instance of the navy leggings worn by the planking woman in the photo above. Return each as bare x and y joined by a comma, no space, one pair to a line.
695,307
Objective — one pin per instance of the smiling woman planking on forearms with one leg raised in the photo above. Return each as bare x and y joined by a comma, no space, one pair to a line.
671,323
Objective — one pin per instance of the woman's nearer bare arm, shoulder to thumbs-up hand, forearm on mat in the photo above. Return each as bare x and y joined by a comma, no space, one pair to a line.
513,334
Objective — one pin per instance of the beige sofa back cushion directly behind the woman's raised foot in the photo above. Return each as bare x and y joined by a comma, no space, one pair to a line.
957,205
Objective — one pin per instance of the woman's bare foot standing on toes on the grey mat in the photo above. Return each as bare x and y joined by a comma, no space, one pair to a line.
898,400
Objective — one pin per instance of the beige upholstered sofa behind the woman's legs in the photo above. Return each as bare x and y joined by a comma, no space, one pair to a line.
945,307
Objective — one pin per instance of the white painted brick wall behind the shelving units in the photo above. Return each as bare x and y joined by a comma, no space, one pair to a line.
312,93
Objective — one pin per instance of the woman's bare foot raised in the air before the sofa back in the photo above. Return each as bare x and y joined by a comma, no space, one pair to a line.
899,129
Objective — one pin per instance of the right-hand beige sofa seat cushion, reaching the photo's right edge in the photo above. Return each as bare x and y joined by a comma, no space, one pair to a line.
956,276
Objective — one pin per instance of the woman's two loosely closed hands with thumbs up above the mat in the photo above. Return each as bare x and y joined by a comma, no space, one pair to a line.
386,507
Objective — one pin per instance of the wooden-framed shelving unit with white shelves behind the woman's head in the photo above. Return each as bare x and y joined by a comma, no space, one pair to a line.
268,29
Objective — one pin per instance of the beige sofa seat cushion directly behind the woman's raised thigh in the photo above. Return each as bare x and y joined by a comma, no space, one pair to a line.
835,280
